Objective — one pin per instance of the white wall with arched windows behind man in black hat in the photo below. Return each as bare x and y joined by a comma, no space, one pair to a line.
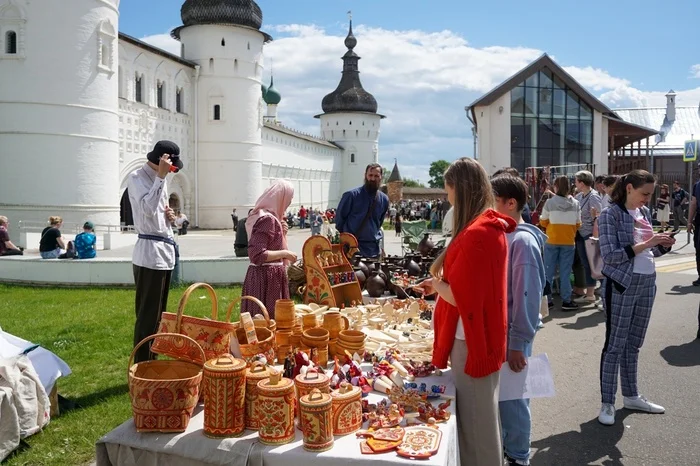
141,125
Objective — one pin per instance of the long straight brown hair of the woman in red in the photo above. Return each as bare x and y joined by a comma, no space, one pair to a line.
473,195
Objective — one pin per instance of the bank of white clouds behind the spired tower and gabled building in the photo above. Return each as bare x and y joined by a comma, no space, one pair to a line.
422,81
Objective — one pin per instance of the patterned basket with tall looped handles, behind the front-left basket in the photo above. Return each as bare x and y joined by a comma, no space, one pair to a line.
212,335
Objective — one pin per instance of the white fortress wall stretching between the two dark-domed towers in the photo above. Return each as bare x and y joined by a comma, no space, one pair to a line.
313,168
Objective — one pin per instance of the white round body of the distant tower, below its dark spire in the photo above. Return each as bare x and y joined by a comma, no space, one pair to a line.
358,134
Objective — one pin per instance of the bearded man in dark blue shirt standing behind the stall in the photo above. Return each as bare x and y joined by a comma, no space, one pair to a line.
361,212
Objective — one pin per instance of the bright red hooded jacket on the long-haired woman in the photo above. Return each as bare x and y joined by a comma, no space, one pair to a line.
475,266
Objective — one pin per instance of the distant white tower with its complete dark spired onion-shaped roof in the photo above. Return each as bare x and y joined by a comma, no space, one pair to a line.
350,119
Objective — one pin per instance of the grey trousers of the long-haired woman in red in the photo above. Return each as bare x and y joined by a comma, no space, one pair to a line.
478,421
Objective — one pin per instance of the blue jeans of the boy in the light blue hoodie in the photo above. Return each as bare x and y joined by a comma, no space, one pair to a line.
515,425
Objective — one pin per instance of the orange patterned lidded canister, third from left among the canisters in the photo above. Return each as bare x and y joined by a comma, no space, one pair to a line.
275,408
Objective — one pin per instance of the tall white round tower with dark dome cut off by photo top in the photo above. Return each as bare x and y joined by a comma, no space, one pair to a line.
224,38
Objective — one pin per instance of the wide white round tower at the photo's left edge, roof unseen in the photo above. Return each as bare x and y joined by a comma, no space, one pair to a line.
59,151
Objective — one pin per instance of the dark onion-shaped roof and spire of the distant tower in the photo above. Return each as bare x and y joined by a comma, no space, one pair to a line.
350,96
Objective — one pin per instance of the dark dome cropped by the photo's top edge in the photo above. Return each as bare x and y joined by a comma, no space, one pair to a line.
238,12
